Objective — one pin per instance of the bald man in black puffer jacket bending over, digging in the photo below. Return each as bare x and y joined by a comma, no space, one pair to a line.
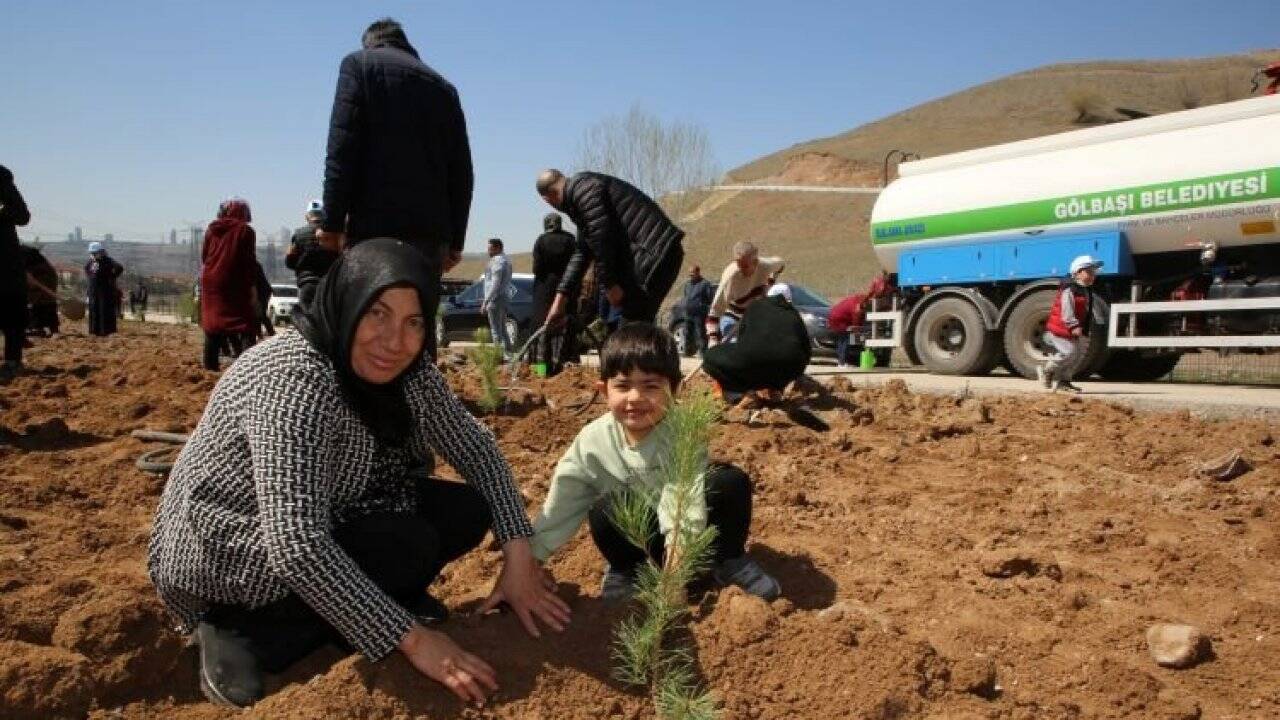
637,248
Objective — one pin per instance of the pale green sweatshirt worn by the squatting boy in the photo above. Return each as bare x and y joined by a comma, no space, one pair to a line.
600,462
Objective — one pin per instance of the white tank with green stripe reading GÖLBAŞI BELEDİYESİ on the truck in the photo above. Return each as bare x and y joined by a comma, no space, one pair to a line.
1168,183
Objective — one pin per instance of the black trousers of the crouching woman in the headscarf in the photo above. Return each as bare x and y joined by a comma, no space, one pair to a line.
401,554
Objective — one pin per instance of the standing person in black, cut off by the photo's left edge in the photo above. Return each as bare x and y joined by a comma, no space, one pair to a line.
13,275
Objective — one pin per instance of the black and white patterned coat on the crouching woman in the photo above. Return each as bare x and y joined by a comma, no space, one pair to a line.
277,462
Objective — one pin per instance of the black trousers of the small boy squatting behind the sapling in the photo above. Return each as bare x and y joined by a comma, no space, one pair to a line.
729,511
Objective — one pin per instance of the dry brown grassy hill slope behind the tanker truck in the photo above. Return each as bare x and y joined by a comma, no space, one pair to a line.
825,236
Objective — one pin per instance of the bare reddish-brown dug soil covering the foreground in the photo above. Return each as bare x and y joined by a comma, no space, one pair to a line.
941,558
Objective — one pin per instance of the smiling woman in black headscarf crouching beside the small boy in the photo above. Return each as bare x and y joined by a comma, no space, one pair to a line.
292,516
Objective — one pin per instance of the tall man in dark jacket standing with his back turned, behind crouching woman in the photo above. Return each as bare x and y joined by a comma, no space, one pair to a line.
399,162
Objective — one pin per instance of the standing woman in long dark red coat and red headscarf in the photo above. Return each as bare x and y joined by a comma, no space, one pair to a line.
228,274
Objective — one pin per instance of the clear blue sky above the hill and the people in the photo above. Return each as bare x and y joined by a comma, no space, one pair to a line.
138,117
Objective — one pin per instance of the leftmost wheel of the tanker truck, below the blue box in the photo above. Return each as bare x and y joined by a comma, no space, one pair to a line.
952,340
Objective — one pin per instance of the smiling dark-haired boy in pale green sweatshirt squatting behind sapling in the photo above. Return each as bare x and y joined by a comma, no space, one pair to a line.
627,446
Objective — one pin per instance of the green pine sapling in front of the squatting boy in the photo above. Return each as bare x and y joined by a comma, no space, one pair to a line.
643,649
